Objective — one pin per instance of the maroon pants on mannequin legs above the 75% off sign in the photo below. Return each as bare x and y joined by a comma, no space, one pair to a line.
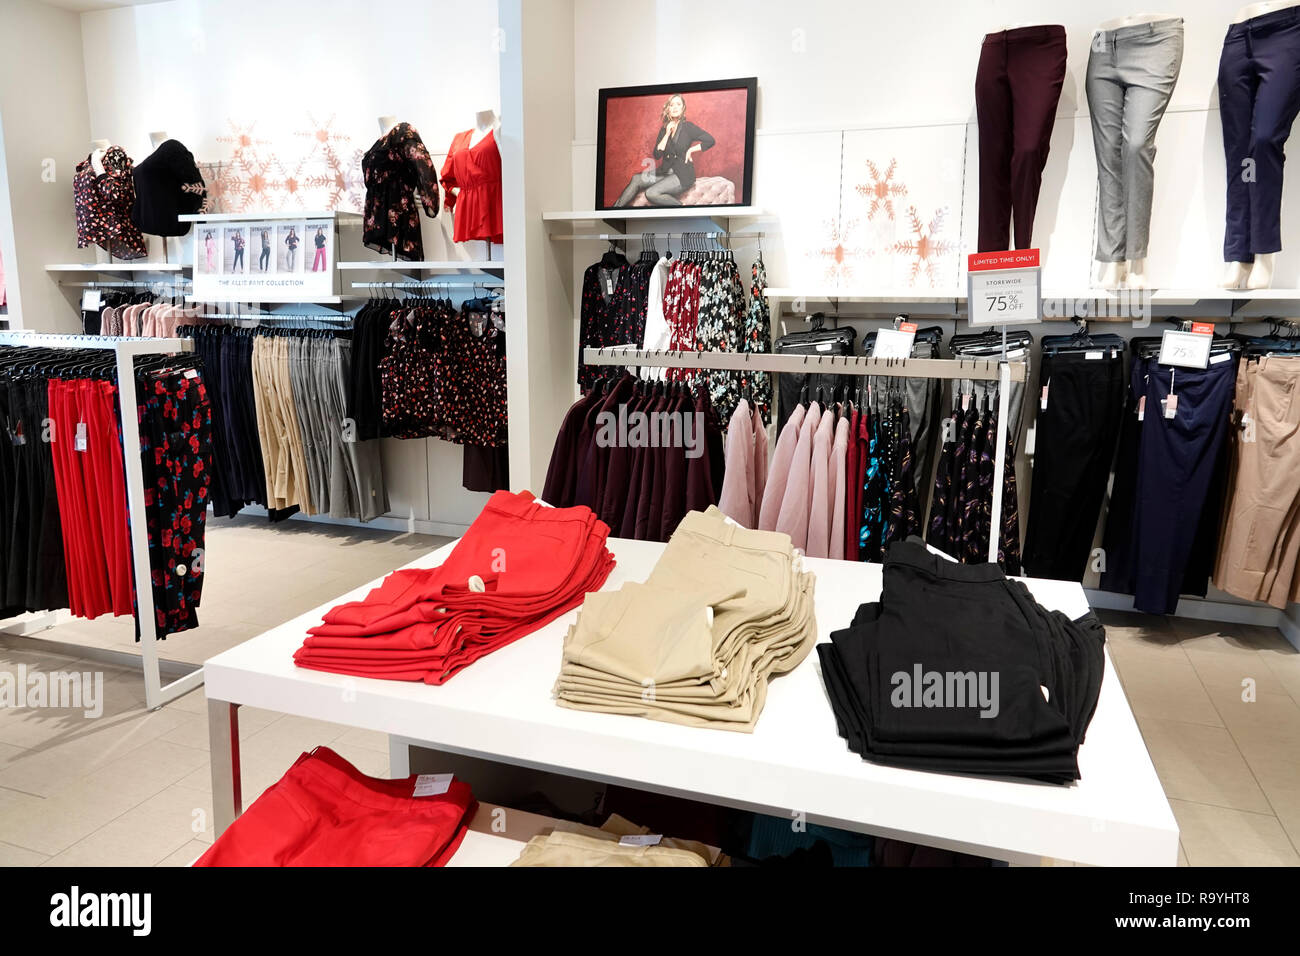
1017,89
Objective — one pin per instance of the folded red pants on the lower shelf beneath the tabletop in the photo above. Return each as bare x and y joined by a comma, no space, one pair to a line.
326,812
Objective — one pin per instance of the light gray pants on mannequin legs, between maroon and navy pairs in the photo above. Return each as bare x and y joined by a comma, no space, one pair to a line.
1132,76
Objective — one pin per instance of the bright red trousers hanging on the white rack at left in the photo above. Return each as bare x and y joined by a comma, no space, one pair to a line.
86,447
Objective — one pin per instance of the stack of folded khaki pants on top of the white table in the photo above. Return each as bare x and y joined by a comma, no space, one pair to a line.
725,609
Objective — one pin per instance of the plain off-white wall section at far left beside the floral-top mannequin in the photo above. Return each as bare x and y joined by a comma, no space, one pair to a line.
46,133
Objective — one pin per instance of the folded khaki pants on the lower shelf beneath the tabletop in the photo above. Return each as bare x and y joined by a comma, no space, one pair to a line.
574,845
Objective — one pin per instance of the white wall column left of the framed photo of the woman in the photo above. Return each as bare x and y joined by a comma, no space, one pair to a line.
536,49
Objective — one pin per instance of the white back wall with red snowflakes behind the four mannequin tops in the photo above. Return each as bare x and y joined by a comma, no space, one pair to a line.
292,92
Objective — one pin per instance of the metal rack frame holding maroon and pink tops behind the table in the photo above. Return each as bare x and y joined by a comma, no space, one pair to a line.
978,370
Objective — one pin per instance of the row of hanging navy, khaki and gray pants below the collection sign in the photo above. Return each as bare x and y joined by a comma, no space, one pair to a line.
283,432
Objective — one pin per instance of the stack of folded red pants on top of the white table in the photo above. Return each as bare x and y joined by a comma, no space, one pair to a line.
519,566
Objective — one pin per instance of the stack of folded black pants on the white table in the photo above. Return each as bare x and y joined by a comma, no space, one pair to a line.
960,671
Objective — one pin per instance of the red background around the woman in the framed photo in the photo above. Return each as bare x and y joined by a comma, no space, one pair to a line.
631,124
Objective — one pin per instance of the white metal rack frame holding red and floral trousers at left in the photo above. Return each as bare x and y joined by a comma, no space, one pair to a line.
125,351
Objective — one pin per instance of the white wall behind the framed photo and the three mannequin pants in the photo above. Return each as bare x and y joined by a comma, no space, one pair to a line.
896,81
